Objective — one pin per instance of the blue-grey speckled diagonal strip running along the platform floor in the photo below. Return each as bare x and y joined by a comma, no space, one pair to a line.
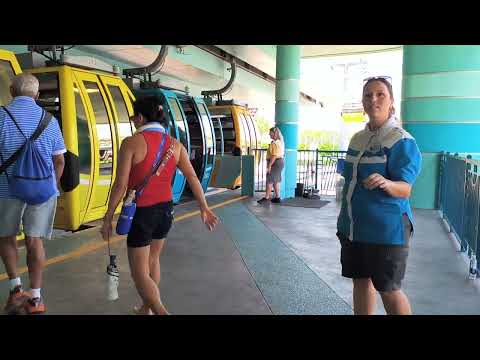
287,283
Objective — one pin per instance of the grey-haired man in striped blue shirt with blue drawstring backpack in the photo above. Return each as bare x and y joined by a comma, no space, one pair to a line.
32,162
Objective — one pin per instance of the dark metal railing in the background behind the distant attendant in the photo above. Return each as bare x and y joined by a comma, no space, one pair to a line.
316,169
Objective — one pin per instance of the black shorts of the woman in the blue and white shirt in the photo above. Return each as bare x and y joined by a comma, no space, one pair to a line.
384,264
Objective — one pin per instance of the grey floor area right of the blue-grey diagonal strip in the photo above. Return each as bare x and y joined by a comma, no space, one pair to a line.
436,278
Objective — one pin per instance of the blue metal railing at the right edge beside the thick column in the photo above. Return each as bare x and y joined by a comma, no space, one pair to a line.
459,203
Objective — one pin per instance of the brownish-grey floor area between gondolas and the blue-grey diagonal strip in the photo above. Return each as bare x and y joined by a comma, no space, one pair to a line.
202,273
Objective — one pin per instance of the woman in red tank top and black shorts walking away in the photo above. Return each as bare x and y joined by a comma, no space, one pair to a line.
154,215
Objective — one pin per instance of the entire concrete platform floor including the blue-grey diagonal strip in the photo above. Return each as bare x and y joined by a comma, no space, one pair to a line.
261,260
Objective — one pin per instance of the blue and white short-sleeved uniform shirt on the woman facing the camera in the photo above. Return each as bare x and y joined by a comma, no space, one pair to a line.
373,216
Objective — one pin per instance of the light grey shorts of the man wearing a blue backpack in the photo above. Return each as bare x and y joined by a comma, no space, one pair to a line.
37,220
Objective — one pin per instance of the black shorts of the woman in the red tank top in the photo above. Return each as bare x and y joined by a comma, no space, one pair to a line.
151,222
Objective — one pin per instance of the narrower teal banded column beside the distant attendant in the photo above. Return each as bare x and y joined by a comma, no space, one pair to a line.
287,95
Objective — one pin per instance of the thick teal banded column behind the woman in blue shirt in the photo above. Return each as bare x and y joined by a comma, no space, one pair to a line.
440,108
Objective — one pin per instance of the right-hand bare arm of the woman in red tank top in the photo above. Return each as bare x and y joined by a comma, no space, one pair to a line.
208,217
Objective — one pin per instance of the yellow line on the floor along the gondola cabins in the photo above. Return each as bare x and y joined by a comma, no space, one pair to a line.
92,246
